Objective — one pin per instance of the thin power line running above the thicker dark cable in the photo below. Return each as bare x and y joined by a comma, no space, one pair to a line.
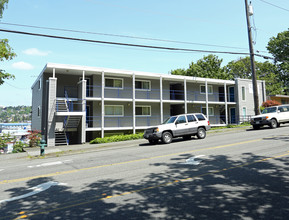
123,36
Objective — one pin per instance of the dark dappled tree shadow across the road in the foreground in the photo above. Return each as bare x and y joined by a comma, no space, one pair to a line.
219,188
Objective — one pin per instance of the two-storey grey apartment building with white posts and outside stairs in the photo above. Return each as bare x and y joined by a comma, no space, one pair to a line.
75,104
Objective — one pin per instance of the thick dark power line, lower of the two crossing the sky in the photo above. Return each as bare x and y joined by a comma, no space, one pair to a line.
127,44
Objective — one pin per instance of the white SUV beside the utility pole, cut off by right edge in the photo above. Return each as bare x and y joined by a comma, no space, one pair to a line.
271,116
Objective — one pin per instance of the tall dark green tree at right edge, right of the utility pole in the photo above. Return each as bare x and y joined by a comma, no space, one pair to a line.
279,48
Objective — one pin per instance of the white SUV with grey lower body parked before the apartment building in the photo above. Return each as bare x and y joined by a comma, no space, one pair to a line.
184,125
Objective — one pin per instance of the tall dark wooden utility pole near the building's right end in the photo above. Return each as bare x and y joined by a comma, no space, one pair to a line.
254,78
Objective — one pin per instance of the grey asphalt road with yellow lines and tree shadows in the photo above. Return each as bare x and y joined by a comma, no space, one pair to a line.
242,174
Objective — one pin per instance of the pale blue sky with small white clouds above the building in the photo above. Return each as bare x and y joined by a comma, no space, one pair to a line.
190,24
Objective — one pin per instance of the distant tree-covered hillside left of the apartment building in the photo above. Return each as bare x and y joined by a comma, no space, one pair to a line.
13,114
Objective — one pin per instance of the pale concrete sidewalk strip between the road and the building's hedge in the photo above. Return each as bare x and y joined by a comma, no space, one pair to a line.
82,148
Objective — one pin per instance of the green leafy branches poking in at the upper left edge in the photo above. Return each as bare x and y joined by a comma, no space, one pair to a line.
6,52
